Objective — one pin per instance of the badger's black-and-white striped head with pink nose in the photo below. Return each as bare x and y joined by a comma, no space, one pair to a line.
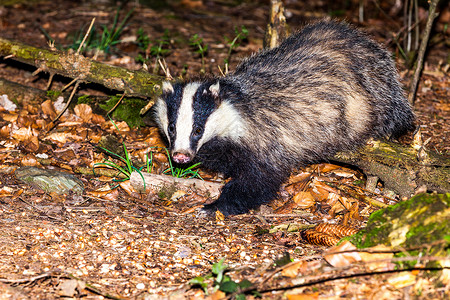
191,114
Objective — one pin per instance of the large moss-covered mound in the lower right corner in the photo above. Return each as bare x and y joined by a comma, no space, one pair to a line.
422,220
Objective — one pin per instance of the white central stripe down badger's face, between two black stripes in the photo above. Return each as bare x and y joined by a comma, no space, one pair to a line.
185,118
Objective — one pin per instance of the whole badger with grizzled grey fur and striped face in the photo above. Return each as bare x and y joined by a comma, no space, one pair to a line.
325,89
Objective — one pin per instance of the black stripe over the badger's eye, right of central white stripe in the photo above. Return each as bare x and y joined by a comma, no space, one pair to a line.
204,104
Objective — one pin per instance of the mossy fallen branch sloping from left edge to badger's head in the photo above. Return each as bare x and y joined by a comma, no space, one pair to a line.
134,83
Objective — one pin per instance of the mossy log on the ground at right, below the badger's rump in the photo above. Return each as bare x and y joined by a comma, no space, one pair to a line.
403,169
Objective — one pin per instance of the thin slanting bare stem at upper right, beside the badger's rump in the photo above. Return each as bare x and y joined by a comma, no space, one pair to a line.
423,47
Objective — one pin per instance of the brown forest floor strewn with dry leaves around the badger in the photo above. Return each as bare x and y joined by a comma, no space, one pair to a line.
115,243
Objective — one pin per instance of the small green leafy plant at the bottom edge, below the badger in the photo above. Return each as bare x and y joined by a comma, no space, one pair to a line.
221,281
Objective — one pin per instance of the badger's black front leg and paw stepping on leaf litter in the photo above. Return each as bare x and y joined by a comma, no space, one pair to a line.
244,193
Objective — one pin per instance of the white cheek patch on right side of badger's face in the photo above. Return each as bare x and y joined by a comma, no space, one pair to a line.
224,122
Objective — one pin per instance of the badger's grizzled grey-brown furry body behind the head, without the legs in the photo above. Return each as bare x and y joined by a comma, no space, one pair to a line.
325,89
